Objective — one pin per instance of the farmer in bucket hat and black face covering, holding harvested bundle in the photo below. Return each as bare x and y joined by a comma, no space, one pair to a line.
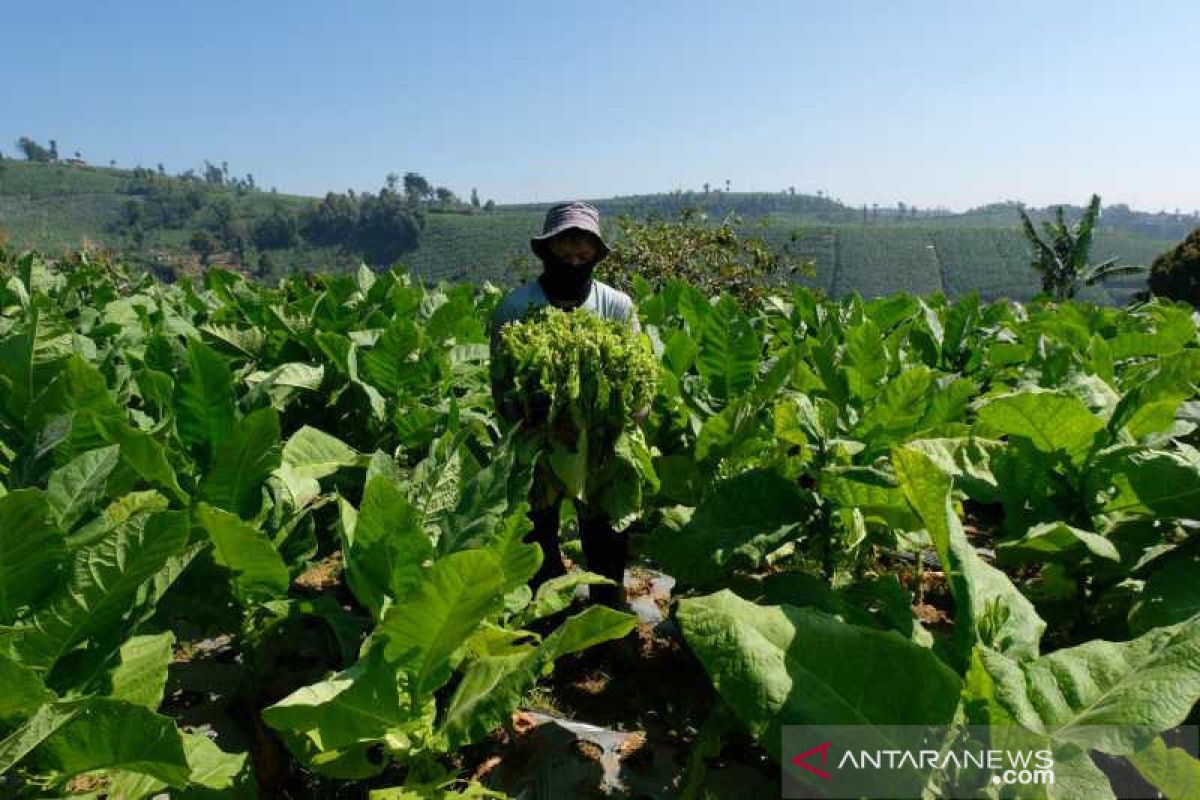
571,246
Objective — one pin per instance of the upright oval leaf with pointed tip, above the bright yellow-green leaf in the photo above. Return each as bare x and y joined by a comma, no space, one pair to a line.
387,549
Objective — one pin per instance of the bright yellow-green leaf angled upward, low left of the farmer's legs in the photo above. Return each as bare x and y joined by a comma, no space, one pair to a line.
423,633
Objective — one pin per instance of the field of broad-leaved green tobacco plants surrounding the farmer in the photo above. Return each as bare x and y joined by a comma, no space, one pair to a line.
314,480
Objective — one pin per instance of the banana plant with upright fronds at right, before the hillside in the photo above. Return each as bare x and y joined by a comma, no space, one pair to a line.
1063,257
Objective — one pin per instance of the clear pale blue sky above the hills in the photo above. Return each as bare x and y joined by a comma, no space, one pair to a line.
934,104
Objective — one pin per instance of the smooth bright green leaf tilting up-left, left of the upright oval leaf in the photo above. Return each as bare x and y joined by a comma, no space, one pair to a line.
259,570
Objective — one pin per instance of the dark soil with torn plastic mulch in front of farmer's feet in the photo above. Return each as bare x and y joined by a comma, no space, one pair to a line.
620,721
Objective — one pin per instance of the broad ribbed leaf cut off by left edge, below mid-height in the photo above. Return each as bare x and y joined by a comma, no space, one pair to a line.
32,551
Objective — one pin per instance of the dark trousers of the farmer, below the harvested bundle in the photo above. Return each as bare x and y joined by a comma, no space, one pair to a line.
604,549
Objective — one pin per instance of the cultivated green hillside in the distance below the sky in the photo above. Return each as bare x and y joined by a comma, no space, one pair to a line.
879,251
